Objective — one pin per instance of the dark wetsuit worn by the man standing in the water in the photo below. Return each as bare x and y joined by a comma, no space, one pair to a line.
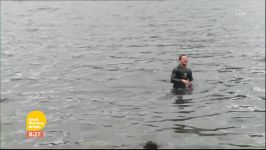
180,72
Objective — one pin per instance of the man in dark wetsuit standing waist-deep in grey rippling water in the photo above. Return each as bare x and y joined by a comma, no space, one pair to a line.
181,75
